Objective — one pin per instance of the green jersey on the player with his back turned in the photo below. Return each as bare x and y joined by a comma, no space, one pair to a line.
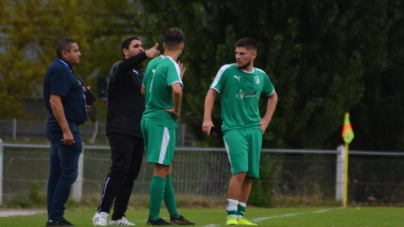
161,73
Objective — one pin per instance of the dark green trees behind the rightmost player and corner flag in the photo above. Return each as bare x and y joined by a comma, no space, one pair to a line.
324,57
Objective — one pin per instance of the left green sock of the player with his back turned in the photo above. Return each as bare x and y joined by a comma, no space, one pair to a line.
156,196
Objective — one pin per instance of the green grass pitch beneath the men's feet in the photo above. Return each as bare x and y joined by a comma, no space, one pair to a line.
310,217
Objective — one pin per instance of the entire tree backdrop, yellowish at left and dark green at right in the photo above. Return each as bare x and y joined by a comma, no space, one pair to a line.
325,58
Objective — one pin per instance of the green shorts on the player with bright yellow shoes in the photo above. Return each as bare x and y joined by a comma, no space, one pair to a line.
244,150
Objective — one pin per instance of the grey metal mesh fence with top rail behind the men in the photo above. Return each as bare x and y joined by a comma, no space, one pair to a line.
205,172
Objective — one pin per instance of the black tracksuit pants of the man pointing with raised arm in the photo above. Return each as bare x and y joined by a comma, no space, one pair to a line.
127,155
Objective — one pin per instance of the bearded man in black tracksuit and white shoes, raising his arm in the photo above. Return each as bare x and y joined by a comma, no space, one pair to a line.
124,113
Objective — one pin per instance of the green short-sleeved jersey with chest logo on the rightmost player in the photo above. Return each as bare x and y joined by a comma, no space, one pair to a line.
240,92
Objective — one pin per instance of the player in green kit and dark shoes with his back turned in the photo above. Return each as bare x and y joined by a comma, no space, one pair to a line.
162,87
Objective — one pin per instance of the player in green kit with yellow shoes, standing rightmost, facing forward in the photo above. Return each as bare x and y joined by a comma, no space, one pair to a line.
241,86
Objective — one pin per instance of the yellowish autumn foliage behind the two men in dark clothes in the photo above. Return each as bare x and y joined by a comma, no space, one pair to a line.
30,29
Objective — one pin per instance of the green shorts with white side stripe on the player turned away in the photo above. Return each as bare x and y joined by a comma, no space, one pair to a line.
159,142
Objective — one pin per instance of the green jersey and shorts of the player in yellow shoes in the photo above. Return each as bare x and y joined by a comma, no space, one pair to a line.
240,92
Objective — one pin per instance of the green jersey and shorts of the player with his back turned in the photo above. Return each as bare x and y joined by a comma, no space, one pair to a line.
158,126
